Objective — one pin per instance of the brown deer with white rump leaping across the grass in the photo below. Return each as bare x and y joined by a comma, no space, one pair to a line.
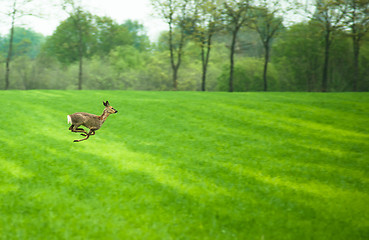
91,121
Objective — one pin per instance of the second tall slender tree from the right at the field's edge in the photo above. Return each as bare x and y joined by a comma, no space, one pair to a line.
329,16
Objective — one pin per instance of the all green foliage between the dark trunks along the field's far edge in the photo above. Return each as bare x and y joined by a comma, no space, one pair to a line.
120,56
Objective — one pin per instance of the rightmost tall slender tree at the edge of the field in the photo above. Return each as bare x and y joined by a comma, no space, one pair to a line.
357,18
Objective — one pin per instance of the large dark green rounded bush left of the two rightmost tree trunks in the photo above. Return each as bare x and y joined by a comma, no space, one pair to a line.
298,53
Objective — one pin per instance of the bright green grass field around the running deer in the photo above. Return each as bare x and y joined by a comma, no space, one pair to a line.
185,165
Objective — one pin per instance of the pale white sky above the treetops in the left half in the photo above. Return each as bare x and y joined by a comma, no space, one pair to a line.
119,10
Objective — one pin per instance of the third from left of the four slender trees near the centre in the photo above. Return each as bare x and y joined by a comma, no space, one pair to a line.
237,14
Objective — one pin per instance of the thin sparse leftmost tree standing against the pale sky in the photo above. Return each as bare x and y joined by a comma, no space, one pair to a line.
17,10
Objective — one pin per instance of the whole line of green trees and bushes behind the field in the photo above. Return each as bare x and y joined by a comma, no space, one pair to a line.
210,45
